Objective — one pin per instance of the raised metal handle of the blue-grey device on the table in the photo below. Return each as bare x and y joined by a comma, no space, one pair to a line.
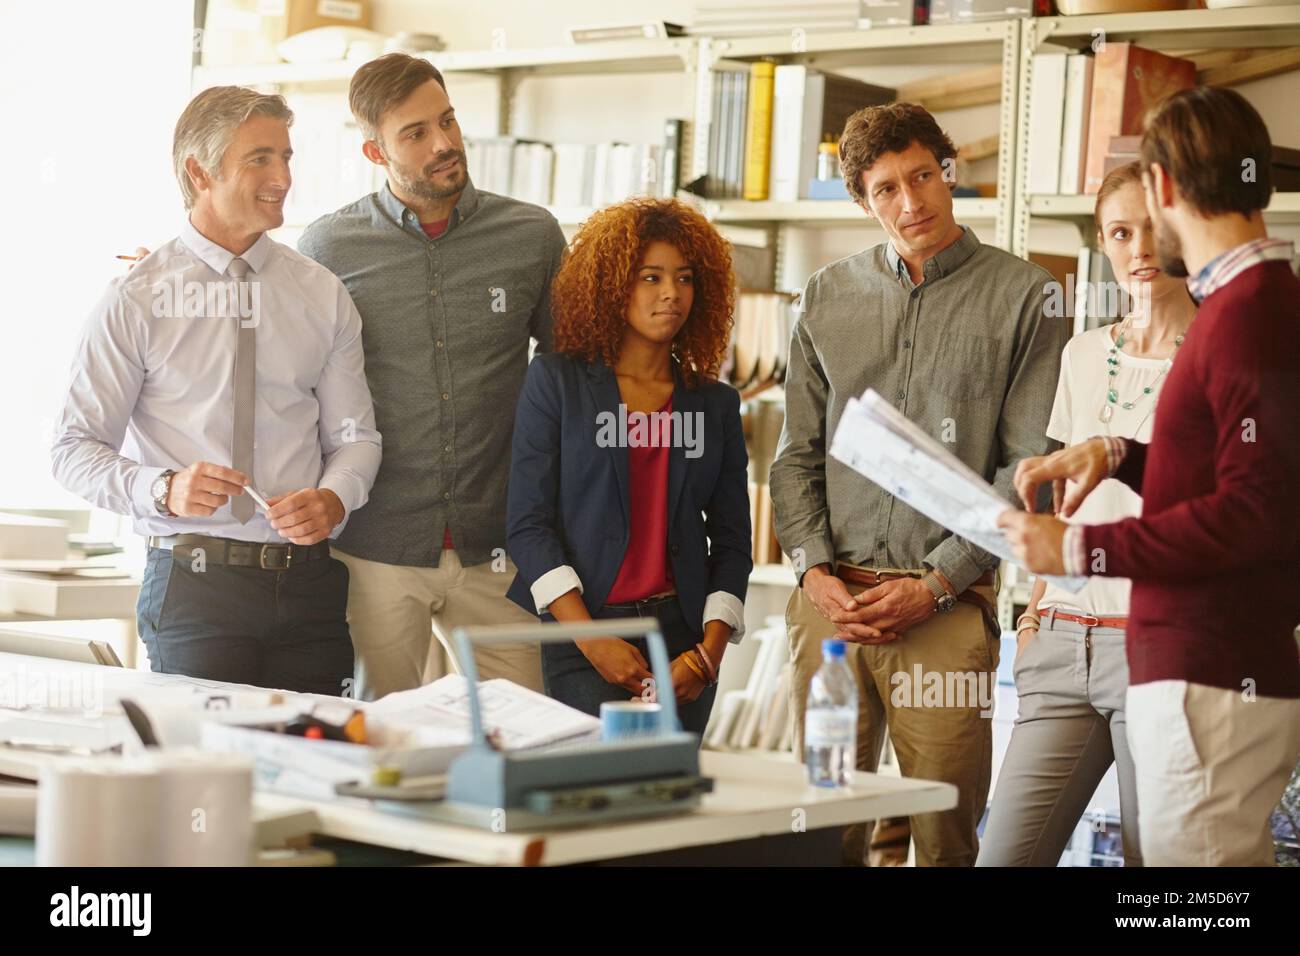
466,638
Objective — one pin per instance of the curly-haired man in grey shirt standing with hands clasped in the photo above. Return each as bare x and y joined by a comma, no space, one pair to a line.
954,334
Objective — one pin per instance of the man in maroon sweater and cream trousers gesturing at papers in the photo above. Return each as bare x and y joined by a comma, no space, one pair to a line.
1215,559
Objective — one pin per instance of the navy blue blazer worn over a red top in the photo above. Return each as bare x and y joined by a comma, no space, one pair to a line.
567,499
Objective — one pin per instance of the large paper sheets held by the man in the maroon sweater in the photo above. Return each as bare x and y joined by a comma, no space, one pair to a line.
878,442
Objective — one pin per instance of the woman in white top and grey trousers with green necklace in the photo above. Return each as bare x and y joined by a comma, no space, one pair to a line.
1071,665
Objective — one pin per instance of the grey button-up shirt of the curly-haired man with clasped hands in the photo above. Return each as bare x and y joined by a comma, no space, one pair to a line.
969,356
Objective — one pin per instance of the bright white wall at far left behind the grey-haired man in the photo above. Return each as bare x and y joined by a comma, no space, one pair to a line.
89,94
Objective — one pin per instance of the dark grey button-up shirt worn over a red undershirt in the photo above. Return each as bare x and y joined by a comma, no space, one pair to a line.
447,327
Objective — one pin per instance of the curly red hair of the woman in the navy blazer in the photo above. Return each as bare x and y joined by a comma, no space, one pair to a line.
591,293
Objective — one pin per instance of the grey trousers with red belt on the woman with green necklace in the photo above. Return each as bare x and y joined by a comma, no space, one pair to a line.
1072,684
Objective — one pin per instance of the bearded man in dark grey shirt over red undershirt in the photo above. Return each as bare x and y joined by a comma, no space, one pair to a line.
452,285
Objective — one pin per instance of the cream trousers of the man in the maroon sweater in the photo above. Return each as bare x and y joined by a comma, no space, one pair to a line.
1212,765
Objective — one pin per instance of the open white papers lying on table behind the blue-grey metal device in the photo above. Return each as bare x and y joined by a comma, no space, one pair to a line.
517,717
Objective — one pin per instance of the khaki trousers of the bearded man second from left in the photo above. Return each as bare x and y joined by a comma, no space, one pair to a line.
395,612
